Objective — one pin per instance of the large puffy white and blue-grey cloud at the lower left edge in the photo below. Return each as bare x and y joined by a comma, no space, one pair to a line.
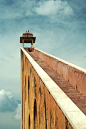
7,102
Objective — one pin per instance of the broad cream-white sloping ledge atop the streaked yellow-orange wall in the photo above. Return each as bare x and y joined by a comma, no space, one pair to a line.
74,115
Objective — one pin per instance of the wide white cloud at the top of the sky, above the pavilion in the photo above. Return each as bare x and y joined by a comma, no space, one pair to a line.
53,7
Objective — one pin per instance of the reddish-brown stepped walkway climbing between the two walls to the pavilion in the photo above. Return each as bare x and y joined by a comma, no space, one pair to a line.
72,93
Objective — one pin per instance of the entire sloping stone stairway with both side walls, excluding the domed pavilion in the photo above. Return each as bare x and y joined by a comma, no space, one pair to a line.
53,92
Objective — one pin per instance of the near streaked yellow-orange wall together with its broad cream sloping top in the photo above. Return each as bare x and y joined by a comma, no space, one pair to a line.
43,104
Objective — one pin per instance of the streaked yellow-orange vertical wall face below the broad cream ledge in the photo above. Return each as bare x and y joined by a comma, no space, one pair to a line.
39,110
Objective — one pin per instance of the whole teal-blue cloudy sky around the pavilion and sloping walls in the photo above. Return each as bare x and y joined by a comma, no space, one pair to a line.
60,30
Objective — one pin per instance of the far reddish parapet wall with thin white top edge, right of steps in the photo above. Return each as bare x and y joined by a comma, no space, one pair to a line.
71,73
